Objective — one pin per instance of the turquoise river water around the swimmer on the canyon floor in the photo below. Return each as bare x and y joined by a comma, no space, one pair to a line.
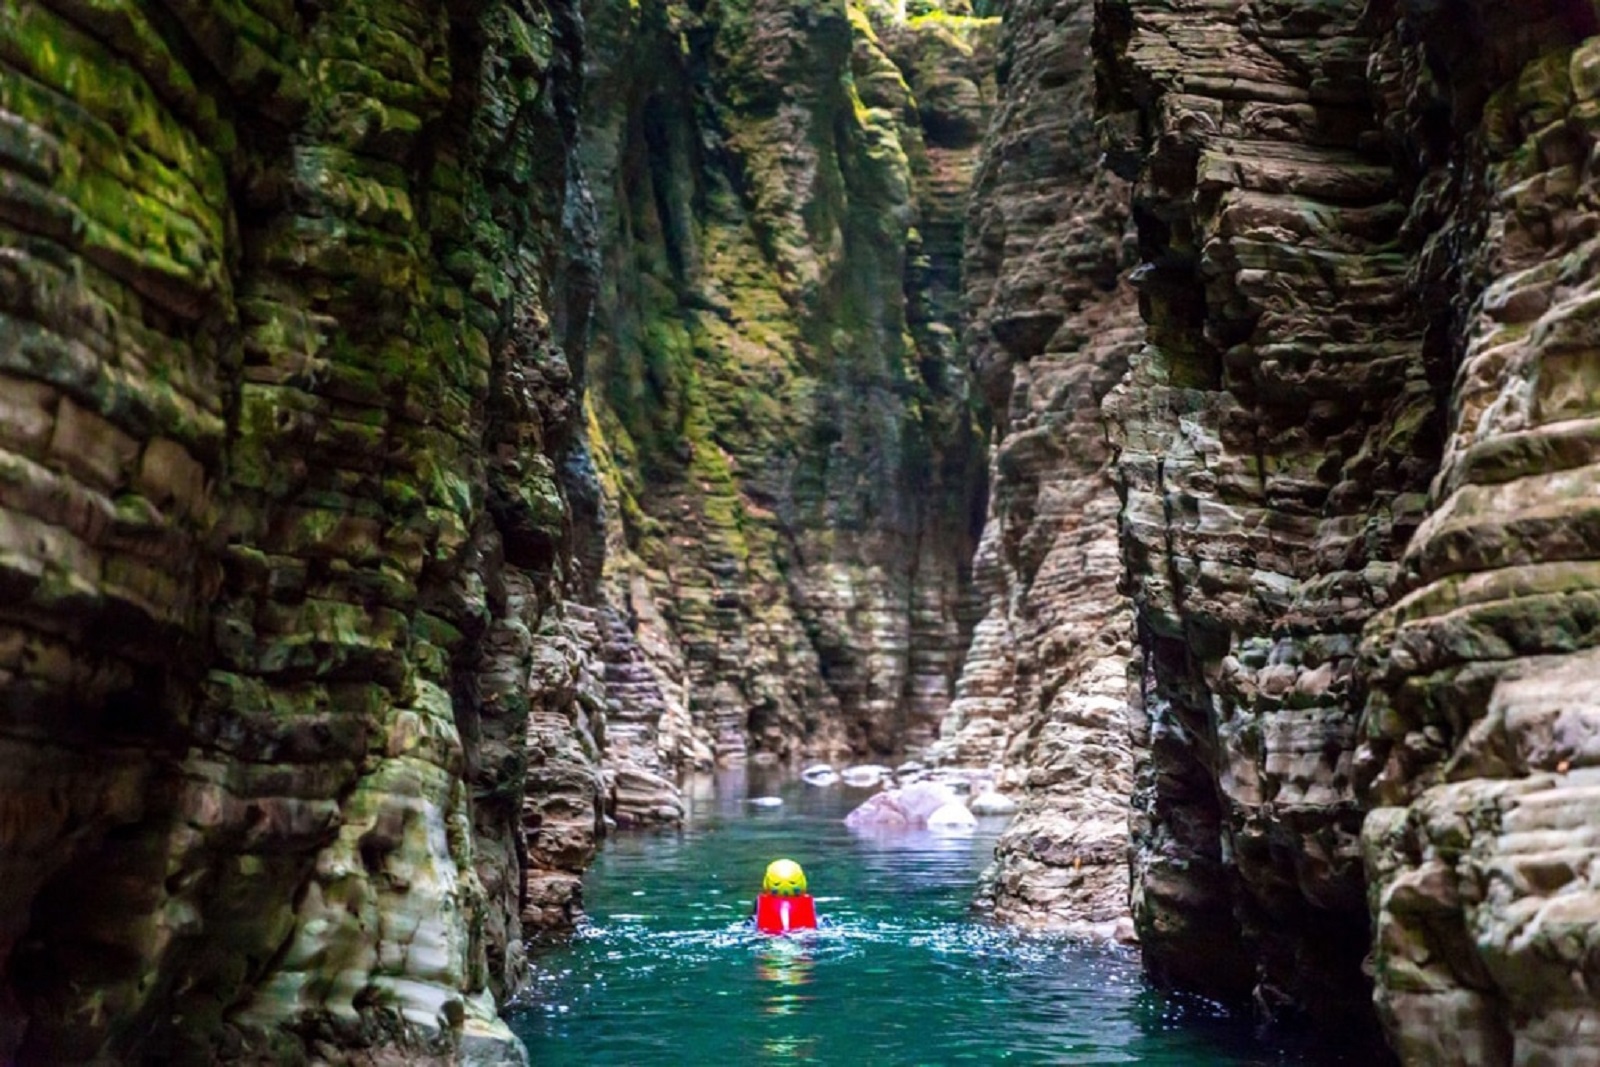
666,972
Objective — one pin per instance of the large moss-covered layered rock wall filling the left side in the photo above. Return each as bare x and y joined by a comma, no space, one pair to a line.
292,454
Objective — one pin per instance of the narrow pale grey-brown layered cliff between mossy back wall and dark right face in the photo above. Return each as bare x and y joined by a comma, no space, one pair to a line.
1044,692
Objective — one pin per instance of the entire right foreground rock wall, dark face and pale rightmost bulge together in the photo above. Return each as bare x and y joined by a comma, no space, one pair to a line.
1358,511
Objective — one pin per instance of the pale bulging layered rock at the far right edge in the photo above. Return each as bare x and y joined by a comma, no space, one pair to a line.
1484,711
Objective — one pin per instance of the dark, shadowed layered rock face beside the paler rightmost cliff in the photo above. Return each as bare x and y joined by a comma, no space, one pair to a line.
1278,434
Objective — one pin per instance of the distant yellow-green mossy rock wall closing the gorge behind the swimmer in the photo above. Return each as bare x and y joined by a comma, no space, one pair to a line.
780,406
